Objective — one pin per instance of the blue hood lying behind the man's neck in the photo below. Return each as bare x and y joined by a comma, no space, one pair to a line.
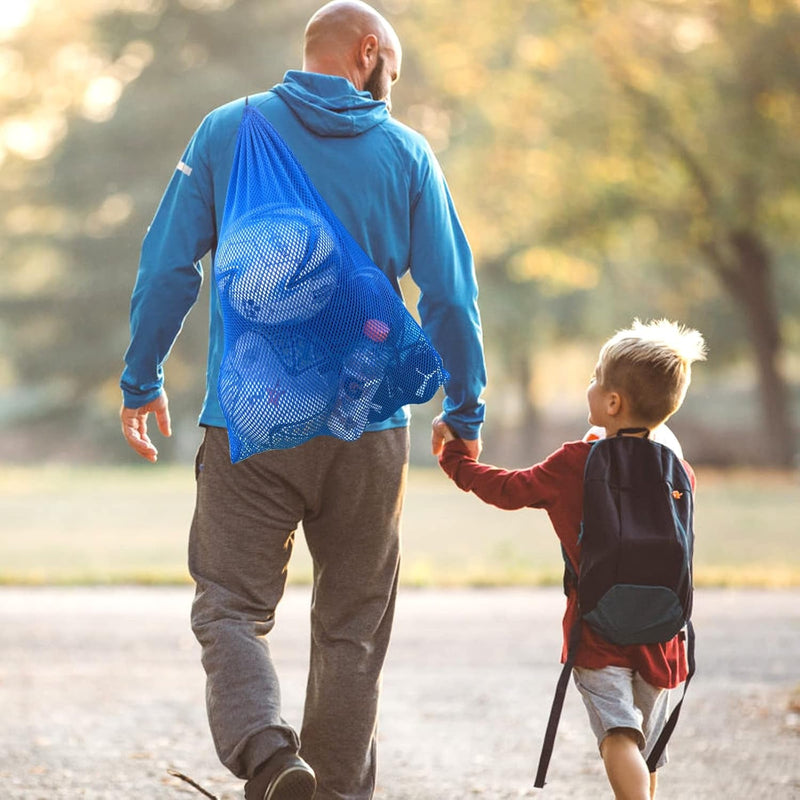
329,105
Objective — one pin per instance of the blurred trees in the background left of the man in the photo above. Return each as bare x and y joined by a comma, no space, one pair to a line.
100,101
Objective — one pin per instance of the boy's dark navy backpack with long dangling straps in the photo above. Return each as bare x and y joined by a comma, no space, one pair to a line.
634,580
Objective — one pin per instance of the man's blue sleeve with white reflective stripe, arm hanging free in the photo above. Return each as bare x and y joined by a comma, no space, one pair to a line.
170,273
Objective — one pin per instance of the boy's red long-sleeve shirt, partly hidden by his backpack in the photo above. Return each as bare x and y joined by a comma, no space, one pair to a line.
556,485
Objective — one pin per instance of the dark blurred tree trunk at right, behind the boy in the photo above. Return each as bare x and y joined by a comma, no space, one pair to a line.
748,277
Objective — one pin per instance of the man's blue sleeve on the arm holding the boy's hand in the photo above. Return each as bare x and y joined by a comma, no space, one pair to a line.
442,267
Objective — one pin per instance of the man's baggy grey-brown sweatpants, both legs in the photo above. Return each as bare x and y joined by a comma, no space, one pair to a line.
349,498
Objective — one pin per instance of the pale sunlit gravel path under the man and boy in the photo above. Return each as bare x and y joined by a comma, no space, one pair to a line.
101,692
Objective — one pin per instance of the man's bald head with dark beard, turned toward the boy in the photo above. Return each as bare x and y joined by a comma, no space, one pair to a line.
350,39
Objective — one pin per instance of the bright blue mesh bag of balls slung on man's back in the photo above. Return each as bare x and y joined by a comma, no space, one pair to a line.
317,342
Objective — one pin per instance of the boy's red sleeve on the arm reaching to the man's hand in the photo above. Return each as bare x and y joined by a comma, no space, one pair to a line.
535,487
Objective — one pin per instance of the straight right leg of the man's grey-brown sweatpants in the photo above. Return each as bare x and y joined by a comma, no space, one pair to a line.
353,537
